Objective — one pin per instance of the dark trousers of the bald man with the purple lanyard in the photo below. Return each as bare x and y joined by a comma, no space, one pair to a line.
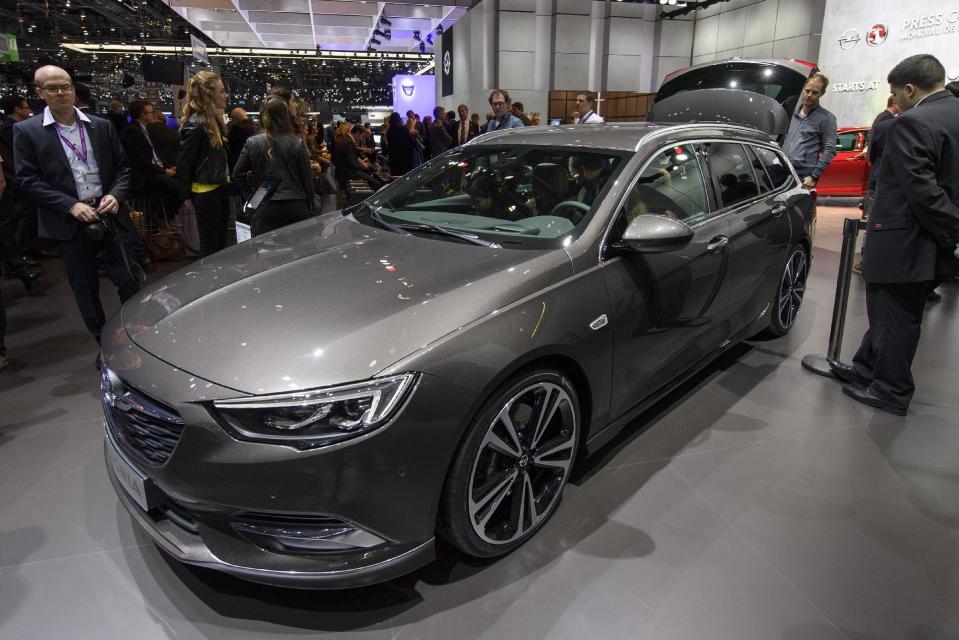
80,259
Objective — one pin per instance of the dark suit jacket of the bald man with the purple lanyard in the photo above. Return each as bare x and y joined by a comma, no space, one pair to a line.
44,172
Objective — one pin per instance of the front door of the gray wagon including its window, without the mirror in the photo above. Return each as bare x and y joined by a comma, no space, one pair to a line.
665,308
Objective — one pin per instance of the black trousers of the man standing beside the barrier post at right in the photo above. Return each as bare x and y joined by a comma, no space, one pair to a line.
889,345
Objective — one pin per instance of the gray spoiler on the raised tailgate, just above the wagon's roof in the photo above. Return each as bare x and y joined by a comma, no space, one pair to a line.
728,106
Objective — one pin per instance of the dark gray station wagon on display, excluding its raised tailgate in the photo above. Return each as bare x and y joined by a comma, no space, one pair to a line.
313,407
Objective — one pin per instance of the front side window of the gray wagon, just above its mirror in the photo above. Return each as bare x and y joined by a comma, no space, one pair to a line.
670,185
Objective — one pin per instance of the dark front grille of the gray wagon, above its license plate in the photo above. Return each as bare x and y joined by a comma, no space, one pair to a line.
145,428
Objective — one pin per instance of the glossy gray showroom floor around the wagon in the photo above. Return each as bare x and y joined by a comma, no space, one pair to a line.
756,502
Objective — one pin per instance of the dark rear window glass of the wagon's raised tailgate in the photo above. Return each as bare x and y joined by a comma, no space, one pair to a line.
771,80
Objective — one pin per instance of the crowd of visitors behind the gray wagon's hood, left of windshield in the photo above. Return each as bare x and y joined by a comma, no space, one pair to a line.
209,161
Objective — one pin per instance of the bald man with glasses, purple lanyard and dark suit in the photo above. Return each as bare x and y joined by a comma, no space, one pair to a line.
74,167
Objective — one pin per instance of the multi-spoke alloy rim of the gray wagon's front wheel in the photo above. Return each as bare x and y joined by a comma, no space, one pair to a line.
522,463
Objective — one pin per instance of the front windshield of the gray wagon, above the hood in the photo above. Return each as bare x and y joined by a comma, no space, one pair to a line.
515,197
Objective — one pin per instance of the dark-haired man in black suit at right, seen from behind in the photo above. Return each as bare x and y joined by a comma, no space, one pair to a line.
912,233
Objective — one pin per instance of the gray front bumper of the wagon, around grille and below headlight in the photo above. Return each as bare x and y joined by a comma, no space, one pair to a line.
385,485
